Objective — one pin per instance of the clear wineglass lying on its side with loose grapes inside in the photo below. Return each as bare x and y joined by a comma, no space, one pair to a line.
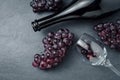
94,52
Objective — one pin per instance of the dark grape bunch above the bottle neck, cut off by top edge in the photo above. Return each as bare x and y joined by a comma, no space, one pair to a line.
45,5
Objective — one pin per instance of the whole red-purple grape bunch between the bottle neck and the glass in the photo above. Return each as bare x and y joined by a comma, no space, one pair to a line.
55,45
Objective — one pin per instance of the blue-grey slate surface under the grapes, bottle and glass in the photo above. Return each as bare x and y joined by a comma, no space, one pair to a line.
19,43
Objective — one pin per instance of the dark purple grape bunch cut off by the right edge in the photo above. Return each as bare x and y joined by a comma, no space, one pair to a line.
109,33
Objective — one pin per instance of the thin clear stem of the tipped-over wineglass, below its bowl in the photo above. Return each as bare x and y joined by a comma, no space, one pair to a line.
108,64
